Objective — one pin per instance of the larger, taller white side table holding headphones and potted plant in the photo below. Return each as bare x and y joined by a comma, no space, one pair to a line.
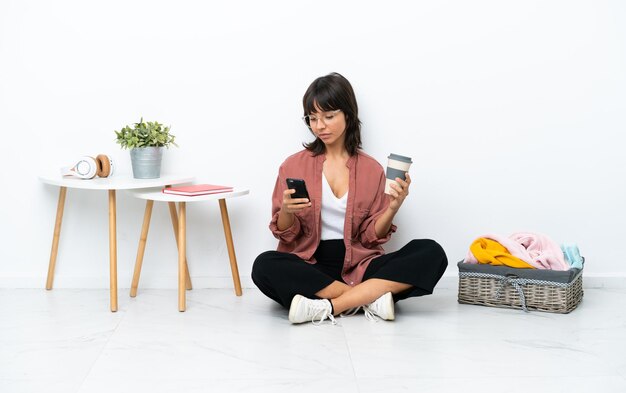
110,184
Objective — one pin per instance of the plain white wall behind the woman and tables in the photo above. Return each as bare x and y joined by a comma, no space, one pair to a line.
513,112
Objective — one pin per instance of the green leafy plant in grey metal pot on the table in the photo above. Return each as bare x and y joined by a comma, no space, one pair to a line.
145,140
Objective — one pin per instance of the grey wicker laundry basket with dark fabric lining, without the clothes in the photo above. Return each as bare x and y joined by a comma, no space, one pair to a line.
526,289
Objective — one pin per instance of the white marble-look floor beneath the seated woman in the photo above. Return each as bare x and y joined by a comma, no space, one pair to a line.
68,341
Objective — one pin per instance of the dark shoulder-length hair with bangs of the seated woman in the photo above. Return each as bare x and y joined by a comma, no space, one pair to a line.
328,93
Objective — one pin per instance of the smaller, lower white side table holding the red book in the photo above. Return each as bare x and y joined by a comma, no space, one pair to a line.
180,230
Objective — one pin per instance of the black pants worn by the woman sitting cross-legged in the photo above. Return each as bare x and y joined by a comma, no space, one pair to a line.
281,276
